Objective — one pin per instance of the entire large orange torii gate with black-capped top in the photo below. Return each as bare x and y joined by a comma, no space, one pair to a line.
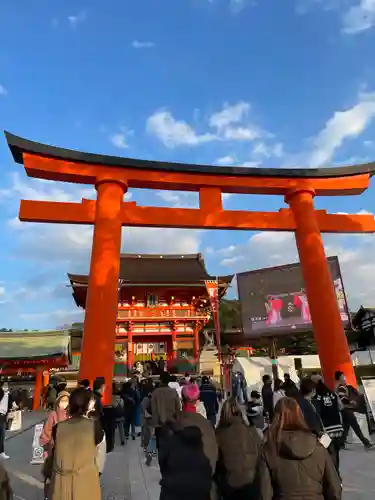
113,176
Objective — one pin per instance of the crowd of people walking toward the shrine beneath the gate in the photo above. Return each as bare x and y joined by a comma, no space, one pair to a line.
281,443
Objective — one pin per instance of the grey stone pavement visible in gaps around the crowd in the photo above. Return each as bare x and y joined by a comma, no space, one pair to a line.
127,478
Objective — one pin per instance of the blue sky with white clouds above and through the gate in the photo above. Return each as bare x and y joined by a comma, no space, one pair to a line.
272,83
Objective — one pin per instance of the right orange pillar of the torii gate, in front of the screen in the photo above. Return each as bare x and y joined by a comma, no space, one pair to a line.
326,320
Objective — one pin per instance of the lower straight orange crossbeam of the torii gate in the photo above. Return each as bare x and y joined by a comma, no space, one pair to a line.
190,218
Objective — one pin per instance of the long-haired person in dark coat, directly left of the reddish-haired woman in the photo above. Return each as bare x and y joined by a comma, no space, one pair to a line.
239,461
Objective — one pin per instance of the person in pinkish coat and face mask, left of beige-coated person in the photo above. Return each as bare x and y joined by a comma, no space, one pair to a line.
59,414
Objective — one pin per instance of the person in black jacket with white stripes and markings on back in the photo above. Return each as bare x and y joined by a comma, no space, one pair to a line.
327,405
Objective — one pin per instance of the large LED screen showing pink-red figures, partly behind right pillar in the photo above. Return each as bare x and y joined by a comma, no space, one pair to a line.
273,300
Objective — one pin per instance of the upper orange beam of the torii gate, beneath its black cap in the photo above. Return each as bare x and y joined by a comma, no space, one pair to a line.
44,167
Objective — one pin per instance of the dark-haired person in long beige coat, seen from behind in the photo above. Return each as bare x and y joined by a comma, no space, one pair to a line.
75,474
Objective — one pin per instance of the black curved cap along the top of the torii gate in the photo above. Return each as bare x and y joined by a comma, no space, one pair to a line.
18,146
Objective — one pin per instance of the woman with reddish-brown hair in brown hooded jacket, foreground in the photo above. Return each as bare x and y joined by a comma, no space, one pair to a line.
300,467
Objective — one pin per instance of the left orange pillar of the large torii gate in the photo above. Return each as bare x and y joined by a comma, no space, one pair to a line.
97,359
